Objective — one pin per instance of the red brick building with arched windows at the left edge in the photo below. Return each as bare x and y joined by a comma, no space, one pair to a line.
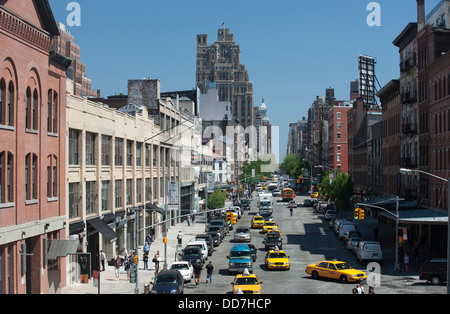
32,148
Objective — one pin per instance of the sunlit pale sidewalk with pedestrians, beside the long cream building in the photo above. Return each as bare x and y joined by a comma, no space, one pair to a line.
108,282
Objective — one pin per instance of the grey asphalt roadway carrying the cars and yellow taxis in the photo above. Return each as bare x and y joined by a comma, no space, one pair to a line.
307,239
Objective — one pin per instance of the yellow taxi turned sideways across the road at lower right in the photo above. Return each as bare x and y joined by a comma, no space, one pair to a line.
335,270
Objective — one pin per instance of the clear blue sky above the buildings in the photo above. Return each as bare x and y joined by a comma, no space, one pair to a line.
293,49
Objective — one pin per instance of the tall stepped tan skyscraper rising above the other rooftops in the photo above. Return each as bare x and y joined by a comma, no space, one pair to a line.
220,62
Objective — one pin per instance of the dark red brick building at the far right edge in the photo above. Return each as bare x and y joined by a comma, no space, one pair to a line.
434,113
